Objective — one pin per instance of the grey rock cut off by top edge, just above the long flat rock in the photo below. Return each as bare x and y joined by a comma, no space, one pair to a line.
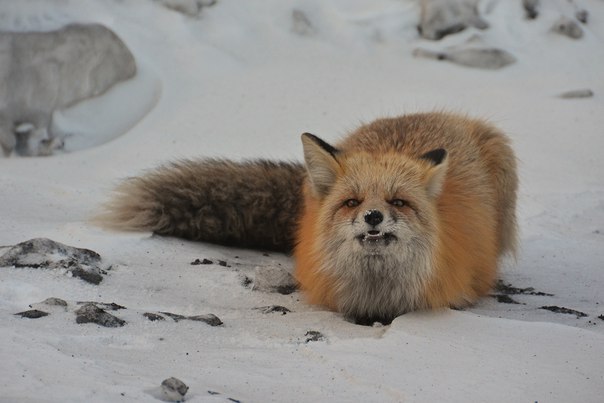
440,18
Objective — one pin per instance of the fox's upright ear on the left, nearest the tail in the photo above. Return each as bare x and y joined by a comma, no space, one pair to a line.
321,163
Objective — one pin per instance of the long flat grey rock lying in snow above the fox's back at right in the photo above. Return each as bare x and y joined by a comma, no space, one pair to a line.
480,57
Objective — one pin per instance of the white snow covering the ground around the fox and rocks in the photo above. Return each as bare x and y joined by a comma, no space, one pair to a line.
238,81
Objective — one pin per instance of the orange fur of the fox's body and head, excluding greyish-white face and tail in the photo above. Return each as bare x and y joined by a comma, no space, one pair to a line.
472,217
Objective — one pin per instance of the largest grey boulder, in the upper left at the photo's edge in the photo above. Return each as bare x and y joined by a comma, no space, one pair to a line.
49,71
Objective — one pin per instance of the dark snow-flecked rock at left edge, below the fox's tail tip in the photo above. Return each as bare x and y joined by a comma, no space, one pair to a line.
47,254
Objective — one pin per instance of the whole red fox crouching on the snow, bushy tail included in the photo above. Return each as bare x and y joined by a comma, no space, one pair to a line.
405,213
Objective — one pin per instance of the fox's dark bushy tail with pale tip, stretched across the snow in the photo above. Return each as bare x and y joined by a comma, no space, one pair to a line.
248,204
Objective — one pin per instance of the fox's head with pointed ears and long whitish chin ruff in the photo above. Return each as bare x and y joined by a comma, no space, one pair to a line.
378,224
